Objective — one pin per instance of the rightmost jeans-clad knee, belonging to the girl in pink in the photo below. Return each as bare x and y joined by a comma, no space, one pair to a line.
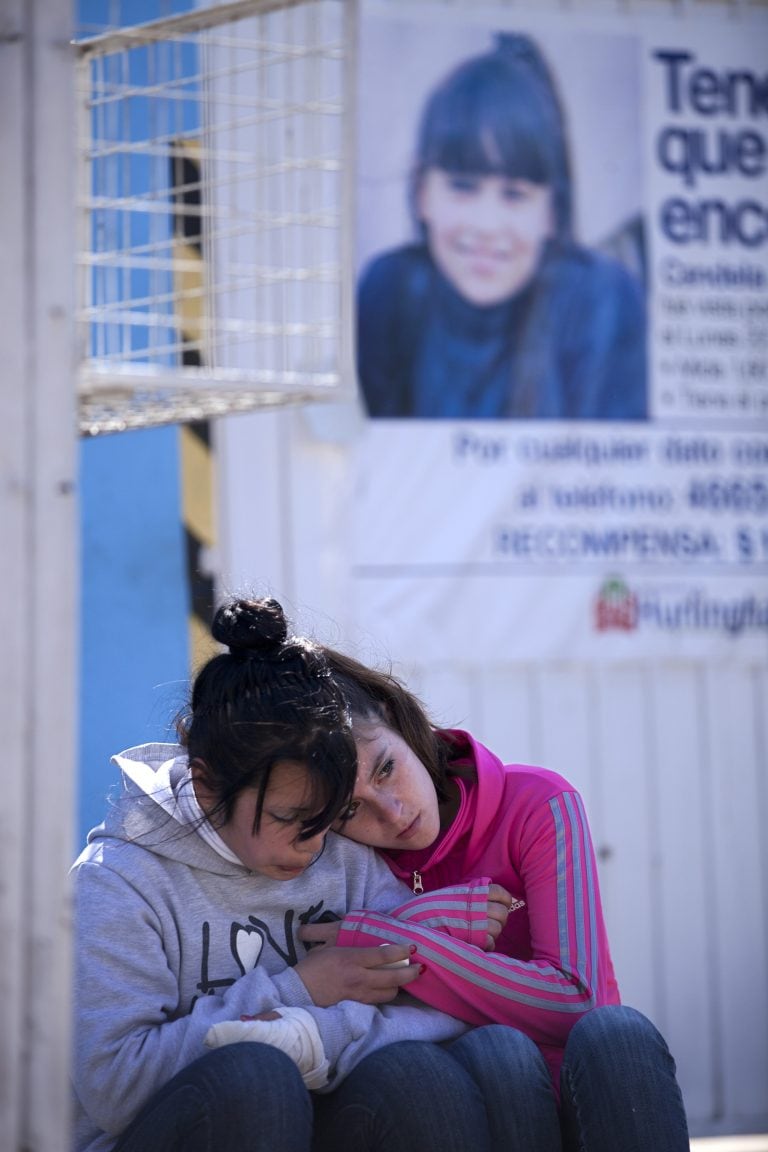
619,1087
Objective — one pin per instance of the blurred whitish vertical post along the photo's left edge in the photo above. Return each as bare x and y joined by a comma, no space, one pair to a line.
39,680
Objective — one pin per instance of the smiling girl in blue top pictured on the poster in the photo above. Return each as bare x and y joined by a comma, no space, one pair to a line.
496,312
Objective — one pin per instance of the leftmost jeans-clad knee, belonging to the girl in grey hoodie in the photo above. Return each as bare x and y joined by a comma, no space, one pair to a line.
241,1098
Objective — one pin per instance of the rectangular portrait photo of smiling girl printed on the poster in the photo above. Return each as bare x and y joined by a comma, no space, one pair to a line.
500,242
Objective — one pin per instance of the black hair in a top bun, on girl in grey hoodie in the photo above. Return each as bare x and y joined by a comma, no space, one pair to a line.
269,699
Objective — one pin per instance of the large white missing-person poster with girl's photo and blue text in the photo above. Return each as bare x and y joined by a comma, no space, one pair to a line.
562,334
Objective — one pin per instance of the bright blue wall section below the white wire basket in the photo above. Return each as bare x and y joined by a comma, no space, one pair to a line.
135,604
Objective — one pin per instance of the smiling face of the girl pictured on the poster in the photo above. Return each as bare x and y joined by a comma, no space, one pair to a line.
485,233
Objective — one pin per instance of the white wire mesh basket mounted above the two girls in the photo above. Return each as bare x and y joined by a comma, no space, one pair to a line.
212,196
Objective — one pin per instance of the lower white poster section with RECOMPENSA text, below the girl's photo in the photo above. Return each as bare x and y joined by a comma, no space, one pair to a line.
519,542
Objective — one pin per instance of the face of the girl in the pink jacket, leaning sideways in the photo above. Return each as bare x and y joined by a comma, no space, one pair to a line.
396,804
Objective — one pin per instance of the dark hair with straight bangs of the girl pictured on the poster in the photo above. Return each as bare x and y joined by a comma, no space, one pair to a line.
499,115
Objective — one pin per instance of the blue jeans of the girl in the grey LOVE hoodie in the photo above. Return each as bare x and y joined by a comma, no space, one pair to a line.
412,1096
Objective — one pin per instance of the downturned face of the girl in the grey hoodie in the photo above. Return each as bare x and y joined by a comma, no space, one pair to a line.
275,851
